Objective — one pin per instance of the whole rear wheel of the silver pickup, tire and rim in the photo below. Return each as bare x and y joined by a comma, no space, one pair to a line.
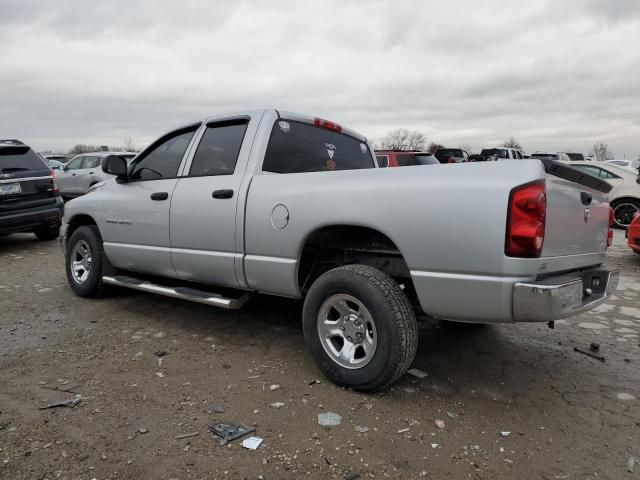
359,327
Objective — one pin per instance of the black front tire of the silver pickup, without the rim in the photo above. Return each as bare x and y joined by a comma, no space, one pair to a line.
92,286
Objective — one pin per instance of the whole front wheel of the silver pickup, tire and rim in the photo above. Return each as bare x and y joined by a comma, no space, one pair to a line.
83,262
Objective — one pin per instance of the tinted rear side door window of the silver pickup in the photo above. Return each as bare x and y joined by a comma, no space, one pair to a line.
218,150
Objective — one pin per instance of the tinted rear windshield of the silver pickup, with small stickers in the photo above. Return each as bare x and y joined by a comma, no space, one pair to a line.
298,147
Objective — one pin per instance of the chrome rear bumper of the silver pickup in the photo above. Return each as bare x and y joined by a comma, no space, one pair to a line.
563,296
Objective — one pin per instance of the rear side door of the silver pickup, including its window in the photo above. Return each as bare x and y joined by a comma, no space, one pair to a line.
204,245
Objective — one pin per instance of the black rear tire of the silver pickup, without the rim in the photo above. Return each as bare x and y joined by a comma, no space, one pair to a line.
395,326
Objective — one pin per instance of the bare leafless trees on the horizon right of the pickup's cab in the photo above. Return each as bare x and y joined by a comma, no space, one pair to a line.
414,140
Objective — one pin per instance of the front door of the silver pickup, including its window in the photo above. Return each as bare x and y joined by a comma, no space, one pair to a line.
135,223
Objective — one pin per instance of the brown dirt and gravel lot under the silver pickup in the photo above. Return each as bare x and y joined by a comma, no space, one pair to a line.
569,416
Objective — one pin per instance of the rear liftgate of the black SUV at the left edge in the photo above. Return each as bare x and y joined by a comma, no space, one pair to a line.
25,180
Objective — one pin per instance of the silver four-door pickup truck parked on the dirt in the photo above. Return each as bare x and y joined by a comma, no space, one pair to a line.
284,204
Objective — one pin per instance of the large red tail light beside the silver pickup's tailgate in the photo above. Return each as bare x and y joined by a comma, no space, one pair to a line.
526,221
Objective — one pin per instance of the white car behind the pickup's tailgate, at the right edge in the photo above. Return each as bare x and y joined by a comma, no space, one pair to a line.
625,194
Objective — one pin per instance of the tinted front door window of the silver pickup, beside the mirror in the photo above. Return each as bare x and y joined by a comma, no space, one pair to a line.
163,160
